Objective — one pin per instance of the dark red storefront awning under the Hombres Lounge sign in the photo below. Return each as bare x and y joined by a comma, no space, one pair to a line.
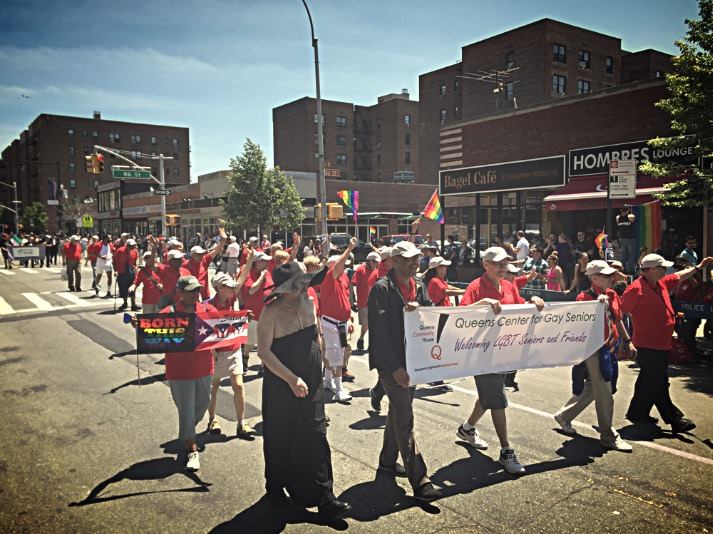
590,193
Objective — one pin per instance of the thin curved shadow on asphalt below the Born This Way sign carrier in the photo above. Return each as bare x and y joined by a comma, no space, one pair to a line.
156,469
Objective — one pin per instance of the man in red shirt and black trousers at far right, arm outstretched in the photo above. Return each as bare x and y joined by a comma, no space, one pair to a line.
647,301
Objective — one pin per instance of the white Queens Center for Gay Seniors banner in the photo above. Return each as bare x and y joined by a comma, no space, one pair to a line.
453,342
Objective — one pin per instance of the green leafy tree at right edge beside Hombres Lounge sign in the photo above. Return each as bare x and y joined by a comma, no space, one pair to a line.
690,105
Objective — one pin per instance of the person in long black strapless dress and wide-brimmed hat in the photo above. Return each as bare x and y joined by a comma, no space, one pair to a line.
297,454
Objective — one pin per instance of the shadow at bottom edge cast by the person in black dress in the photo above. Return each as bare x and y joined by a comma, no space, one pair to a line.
263,517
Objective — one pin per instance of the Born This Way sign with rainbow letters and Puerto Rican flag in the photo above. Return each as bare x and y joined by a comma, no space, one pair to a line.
188,332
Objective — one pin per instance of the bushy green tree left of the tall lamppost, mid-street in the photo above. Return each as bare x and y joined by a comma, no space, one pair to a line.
258,197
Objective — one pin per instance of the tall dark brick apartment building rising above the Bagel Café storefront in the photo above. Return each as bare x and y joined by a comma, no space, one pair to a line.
530,65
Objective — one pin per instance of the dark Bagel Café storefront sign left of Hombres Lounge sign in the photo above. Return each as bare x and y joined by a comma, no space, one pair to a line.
512,176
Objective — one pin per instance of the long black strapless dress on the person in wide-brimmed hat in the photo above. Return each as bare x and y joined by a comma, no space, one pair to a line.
297,455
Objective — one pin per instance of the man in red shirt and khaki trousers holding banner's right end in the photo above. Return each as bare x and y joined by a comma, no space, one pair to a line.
600,367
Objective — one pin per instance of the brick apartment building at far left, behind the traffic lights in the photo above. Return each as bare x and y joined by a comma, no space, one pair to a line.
48,158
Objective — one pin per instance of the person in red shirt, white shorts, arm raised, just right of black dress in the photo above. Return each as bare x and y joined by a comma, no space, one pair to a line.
336,312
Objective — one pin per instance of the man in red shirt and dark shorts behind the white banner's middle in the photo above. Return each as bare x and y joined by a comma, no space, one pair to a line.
493,290
